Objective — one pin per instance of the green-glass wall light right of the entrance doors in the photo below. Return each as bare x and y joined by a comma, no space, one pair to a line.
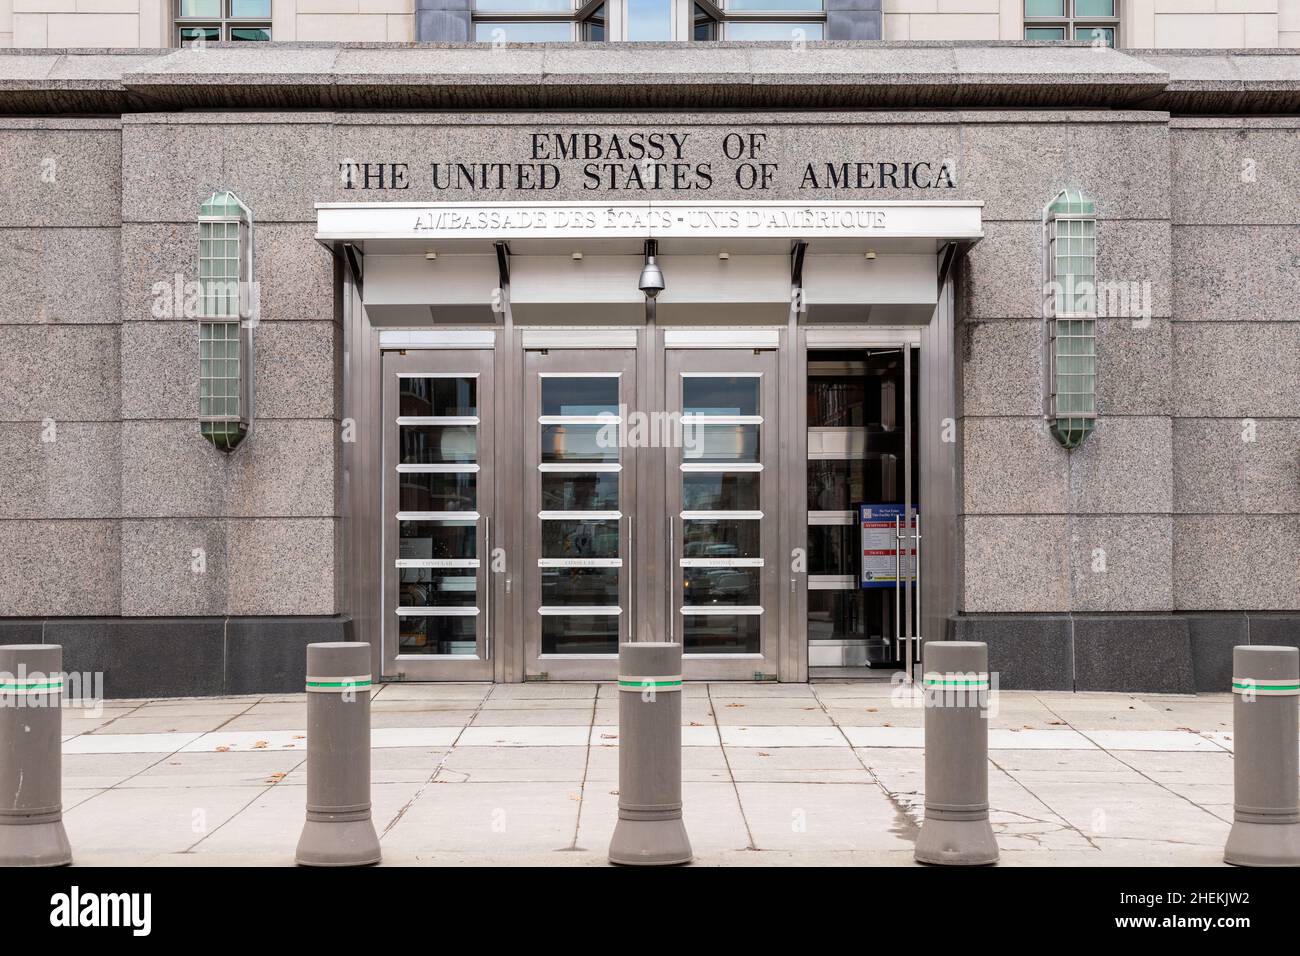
1071,317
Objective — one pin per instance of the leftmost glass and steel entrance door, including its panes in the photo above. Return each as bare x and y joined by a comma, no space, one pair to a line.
437,514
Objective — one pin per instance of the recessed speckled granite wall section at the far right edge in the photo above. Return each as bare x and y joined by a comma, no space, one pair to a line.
1236,356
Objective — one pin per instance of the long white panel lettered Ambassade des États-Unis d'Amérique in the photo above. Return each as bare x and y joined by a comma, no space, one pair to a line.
651,220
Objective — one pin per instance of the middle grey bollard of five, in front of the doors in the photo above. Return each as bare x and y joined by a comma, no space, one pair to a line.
651,832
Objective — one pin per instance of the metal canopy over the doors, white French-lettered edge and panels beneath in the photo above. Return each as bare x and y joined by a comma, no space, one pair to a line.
439,262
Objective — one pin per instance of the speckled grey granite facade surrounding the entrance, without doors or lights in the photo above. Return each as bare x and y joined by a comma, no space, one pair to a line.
1177,520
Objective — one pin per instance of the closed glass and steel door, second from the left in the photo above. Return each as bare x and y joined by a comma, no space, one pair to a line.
579,512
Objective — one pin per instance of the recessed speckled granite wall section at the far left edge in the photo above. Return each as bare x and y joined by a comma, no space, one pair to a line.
60,422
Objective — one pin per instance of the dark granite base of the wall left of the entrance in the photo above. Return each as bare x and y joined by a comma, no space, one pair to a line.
184,657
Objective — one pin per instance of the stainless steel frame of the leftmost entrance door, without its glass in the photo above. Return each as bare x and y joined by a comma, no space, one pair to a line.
450,364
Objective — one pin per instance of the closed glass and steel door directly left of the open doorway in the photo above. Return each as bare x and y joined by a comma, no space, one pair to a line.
722,511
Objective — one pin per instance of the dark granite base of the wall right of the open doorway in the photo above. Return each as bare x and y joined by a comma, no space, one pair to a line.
1134,654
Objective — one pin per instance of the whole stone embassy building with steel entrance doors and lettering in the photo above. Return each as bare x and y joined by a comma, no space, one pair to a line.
801,353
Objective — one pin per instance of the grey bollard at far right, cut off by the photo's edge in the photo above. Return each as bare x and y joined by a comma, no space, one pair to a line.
1267,762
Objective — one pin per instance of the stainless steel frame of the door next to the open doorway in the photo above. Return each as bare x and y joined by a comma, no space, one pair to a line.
764,365
